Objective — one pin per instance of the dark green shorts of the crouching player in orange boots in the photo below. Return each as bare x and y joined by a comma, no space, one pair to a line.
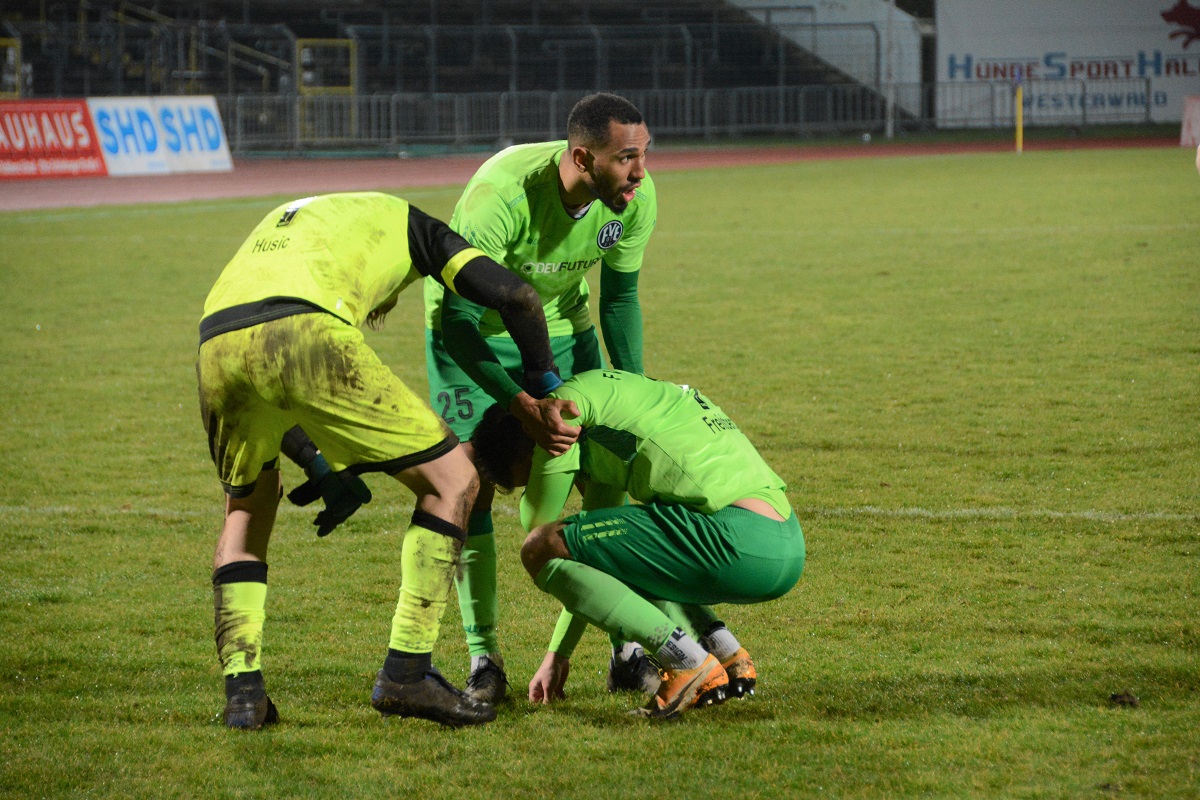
669,552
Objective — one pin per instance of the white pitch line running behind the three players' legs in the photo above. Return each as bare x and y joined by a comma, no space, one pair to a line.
995,513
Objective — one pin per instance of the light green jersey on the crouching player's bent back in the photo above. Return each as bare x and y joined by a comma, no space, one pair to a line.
657,441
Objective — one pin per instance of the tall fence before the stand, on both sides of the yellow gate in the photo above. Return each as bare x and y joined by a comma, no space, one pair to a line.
122,55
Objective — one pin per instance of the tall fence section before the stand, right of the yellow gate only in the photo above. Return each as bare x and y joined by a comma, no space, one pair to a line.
565,58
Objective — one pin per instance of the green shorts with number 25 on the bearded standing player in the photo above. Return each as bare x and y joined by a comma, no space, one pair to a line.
461,402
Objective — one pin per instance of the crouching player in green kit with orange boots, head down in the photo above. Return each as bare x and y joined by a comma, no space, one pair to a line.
712,525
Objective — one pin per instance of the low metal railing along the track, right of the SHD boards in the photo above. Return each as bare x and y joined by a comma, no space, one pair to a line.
395,123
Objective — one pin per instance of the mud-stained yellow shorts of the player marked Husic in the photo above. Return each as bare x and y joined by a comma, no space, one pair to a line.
317,372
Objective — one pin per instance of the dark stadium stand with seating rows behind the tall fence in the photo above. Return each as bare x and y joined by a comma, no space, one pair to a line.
89,47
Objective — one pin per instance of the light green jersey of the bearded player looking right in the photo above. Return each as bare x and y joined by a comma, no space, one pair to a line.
513,212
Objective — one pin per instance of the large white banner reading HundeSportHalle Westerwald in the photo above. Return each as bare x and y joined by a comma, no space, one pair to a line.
1077,61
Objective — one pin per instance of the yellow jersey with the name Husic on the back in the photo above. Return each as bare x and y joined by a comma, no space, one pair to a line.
345,254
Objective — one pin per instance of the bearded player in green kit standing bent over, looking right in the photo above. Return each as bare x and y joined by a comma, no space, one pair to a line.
550,213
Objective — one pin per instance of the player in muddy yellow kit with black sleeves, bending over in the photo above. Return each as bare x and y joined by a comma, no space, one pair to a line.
281,350
